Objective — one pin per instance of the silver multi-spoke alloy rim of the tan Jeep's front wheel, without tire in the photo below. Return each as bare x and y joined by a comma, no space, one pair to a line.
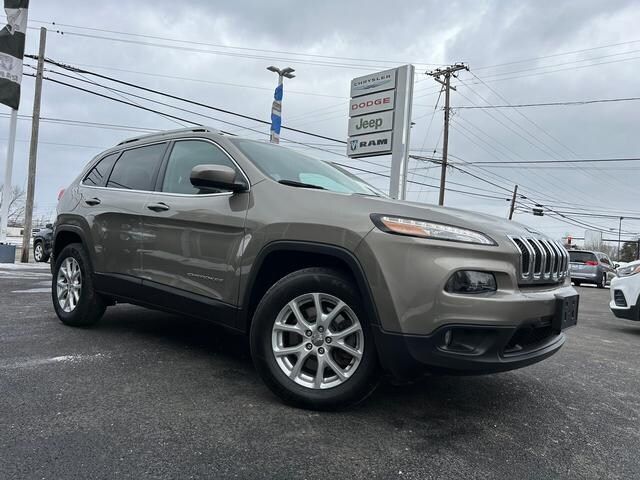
317,341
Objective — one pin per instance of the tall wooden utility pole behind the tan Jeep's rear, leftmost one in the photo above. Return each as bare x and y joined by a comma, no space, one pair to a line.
33,150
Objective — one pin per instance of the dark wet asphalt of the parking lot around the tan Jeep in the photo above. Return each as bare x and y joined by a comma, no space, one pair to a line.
149,395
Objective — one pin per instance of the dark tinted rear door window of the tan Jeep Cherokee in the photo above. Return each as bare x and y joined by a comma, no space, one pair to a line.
137,169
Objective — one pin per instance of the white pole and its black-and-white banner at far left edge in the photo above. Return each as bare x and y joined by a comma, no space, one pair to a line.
12,40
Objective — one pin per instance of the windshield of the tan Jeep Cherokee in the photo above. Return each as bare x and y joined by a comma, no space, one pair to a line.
284,164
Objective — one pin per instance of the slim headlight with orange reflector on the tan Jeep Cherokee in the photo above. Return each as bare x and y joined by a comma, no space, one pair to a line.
424,229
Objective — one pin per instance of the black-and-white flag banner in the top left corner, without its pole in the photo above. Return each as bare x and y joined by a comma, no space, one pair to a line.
12,39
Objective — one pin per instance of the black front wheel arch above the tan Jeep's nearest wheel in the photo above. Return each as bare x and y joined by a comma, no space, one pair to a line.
279,258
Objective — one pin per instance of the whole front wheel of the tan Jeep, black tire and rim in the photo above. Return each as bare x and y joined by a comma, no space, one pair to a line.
323,363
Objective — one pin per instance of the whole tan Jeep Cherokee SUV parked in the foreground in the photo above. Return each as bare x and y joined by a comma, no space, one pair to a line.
333,282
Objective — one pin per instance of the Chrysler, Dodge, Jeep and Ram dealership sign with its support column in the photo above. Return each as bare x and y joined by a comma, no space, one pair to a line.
380,121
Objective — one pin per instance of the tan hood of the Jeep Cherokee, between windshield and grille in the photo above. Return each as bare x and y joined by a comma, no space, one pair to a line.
487,224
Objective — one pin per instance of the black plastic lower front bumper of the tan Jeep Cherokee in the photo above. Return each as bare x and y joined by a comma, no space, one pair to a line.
409,356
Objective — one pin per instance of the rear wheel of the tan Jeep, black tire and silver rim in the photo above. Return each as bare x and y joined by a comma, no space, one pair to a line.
75,301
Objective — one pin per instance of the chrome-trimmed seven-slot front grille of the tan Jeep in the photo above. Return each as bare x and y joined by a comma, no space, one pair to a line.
541,260
